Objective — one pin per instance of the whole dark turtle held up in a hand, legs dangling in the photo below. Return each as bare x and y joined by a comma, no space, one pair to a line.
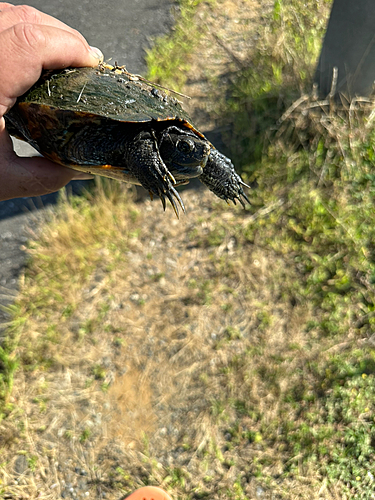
108,122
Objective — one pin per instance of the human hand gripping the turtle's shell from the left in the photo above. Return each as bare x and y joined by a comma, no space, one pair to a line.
31,41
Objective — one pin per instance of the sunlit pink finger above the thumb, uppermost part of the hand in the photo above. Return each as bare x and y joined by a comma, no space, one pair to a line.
15,14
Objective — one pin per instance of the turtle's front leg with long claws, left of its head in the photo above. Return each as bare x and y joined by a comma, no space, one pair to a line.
145,163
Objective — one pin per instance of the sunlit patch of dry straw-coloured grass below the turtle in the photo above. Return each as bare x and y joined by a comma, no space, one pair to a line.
147,337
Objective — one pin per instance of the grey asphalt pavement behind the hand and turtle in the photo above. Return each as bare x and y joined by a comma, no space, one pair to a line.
123,30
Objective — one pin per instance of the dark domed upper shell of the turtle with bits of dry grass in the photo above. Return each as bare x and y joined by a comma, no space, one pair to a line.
105,91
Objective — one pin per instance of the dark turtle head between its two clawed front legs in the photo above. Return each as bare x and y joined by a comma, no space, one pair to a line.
184,153
